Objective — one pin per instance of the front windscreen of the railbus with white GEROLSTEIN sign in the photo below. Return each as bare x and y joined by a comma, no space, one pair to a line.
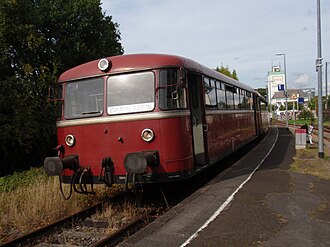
129,93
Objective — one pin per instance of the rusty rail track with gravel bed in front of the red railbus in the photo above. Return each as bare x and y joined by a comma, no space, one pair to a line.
80,229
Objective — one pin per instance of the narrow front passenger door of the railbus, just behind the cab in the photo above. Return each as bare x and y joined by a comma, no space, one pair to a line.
198,121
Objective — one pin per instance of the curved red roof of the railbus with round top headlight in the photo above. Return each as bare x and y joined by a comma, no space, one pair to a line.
136,62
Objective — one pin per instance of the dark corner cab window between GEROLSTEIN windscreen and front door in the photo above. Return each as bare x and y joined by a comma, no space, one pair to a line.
172,93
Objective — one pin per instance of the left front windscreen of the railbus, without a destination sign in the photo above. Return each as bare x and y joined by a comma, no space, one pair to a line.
84,98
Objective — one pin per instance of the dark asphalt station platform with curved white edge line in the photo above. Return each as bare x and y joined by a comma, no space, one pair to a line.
256,202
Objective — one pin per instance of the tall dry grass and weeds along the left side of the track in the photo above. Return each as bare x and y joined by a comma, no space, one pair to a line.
28,202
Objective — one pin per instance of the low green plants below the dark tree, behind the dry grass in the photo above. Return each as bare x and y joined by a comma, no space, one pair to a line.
21,179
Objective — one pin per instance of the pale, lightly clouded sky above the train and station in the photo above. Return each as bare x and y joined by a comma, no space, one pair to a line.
242,34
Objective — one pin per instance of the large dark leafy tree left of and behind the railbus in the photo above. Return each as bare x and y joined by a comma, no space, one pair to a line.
39,40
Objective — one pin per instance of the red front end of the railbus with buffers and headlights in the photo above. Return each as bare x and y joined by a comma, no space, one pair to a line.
122,126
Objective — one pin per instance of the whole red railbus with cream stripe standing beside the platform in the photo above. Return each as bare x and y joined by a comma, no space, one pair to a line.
149,118
